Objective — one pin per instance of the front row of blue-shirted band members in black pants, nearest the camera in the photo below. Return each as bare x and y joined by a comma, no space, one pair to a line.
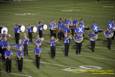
22,46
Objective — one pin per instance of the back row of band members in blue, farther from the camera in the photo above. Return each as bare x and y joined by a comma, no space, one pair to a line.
63,26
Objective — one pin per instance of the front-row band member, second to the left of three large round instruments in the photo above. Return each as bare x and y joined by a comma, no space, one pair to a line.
53,47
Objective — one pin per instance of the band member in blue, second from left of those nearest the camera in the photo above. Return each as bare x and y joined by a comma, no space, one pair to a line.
20,56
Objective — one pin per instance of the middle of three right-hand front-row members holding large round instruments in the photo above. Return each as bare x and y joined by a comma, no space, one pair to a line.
92,37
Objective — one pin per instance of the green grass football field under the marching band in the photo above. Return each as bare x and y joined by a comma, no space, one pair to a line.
30,12
